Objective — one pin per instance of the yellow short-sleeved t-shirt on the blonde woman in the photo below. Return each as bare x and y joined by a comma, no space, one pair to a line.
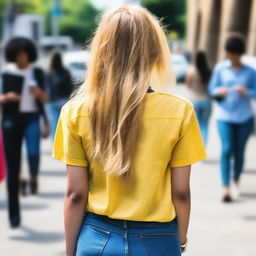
170,138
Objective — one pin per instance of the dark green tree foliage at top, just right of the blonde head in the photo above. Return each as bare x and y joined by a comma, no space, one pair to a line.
172,13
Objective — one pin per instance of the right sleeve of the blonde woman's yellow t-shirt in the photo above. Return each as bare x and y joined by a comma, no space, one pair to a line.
190,147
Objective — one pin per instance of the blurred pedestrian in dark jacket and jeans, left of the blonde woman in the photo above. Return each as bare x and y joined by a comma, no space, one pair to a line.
59,88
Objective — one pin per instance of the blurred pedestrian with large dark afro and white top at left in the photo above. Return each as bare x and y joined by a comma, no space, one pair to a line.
22,99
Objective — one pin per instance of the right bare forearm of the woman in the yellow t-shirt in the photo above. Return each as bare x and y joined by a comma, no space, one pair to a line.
180,177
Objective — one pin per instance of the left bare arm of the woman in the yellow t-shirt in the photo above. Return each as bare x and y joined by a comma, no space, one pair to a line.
74,205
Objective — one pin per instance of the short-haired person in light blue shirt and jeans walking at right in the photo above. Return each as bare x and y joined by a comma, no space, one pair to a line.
233,84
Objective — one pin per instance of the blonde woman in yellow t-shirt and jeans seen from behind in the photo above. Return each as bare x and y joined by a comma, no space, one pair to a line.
126,147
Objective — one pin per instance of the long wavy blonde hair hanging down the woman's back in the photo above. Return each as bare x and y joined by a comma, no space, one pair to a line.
129,51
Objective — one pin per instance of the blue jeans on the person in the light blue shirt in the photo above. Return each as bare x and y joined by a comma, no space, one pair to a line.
233,141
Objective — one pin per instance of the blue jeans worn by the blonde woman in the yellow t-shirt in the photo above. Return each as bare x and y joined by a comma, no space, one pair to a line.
101,235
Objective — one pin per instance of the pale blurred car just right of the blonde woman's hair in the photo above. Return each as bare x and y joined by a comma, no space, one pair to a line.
180,66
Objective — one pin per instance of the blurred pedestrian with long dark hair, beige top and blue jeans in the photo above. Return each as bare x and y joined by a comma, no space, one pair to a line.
197,82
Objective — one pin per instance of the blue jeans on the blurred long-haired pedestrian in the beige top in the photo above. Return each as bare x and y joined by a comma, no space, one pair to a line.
203,111
